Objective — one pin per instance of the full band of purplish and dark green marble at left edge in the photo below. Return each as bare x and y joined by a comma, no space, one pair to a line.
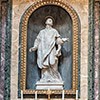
5,48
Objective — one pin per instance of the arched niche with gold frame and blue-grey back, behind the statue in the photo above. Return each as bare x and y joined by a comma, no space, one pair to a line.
31,23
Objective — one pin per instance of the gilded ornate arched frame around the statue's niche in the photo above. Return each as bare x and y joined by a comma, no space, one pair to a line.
25,18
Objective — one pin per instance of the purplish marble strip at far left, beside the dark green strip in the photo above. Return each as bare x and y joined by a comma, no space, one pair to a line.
3,36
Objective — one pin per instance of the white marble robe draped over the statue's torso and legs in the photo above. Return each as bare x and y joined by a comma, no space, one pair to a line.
46,47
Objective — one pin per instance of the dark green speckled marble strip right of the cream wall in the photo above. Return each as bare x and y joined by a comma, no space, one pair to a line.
91,52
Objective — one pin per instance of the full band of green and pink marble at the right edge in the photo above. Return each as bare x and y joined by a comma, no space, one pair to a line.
94,50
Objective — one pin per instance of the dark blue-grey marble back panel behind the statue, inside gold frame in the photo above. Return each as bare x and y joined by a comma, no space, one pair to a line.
63,24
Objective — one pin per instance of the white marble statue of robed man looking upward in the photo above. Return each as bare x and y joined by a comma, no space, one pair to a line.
48,45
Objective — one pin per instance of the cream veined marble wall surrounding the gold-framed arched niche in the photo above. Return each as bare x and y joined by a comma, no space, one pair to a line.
19,7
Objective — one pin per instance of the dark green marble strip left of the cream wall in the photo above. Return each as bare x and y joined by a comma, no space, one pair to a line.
8,51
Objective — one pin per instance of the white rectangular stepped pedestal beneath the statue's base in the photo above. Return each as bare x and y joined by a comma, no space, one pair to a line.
49,85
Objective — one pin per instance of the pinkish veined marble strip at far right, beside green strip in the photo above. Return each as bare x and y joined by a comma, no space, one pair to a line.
97,51
